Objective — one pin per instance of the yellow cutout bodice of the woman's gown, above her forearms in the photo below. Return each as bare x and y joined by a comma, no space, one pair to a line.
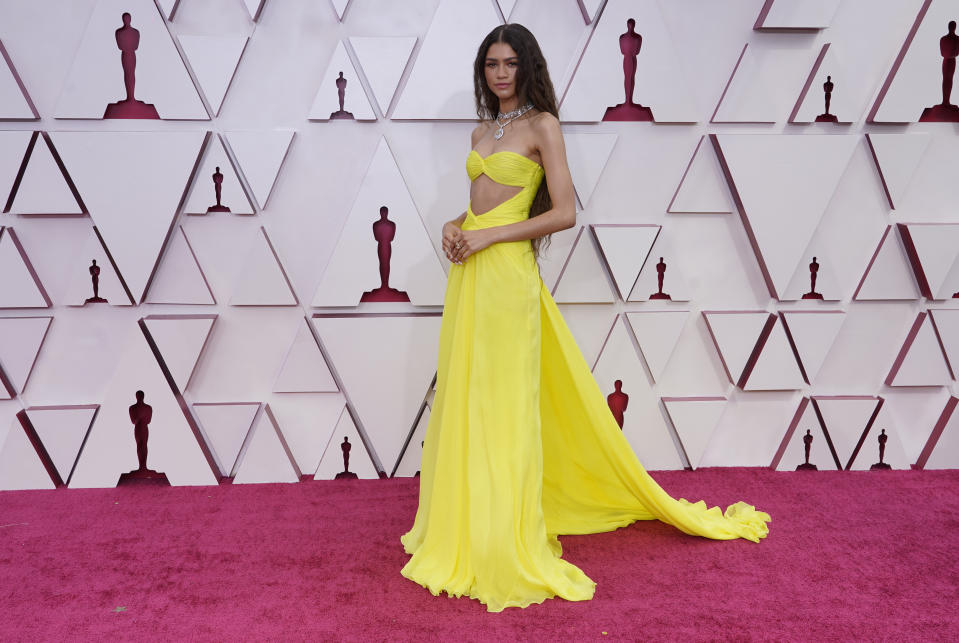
506,168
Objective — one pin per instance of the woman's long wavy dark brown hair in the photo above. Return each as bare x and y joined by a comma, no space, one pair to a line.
533,85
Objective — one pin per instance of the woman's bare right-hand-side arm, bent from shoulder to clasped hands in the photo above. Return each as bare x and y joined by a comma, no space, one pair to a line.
561,216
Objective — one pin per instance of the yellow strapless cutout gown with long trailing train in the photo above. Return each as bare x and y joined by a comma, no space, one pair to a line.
521,445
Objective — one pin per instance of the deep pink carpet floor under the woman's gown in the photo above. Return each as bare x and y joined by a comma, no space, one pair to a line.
866,556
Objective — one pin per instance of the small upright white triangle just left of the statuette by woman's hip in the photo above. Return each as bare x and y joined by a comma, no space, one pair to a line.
262,281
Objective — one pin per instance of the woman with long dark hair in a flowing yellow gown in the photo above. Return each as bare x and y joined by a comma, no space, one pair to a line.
521,445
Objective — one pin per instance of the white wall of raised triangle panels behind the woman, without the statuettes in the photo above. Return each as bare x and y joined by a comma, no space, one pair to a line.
247,334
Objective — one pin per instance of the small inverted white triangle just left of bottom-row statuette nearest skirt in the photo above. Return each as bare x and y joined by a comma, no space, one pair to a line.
307,422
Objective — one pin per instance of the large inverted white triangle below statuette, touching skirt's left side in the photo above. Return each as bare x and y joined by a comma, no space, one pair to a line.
385,364
